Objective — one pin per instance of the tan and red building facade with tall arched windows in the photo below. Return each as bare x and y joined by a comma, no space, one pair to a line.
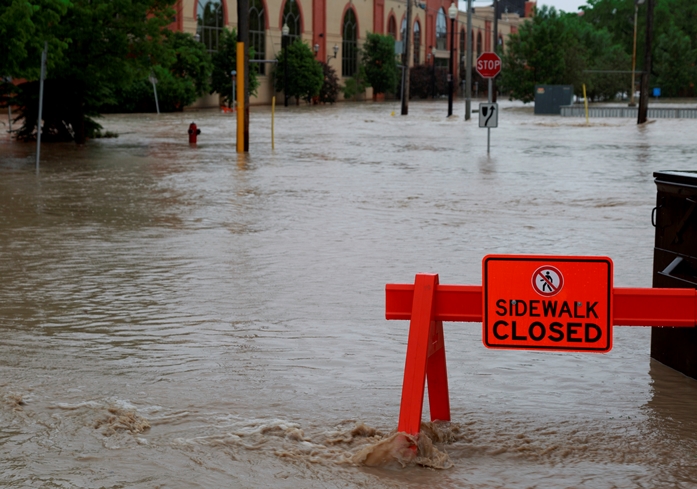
341,26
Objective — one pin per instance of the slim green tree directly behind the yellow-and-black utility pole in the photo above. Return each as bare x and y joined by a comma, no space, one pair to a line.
225,62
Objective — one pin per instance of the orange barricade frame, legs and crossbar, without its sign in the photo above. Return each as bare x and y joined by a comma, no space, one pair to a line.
426,304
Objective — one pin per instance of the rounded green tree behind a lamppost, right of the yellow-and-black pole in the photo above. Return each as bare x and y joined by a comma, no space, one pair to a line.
305,74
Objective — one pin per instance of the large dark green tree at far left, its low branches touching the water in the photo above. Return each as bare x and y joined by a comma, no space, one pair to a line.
110,43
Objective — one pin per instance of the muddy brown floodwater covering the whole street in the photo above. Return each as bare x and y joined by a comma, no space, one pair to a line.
186,317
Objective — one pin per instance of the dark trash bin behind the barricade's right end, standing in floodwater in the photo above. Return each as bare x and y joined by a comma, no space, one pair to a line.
675,262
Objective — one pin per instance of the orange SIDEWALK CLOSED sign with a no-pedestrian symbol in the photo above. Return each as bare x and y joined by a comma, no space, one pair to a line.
551,303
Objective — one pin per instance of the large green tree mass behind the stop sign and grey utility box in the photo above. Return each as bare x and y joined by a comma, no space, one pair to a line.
559,48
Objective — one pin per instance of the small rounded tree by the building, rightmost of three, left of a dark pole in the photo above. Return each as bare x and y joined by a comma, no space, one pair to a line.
380,64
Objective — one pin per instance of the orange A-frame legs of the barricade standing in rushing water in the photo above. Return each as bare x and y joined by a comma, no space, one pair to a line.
425,353
